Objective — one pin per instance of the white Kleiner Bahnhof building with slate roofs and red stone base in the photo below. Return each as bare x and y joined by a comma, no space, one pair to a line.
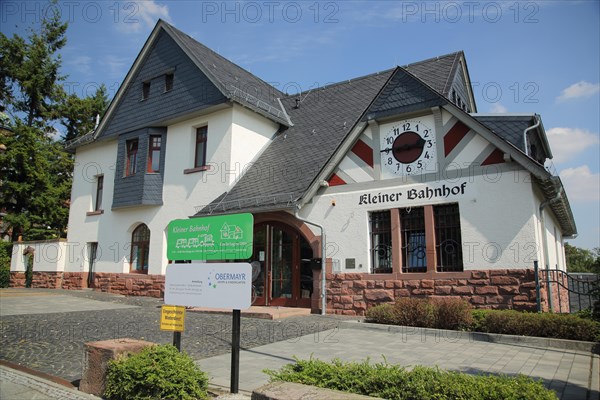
418,194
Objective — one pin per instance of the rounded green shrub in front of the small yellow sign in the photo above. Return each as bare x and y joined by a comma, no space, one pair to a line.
157,372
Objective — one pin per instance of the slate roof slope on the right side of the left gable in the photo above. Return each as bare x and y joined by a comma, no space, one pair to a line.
233,80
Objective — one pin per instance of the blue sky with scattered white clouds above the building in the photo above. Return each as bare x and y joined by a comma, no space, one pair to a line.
529,56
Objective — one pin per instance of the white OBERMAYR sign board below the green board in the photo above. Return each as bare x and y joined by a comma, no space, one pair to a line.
214,285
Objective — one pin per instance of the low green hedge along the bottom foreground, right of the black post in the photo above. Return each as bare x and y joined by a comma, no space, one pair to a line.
394,382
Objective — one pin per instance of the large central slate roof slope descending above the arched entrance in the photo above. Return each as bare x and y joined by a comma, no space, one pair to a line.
288,166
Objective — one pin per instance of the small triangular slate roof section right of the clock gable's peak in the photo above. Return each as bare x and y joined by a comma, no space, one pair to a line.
437,72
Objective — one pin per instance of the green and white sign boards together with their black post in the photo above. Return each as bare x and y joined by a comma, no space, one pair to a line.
225,285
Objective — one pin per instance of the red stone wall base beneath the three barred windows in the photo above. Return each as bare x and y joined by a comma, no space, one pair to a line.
353,294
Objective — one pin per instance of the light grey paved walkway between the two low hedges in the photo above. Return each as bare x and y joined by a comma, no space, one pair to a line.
572,374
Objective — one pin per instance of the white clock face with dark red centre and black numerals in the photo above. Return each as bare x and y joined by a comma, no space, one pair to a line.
408,147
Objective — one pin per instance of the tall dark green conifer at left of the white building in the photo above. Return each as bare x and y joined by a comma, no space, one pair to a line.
35,169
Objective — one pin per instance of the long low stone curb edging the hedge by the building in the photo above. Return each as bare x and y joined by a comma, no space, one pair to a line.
531,341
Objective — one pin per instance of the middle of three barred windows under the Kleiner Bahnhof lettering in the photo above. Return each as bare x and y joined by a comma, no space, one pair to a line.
414,254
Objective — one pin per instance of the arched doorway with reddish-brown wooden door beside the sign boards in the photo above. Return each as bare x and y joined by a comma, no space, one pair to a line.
284,255
